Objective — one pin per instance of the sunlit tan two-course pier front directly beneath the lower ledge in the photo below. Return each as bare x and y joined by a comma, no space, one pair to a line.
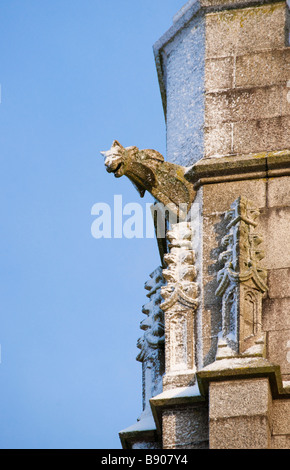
240,414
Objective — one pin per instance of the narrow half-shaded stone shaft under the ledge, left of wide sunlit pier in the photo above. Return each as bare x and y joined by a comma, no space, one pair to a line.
185,428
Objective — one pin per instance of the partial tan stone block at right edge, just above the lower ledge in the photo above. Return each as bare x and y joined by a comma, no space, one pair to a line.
279,350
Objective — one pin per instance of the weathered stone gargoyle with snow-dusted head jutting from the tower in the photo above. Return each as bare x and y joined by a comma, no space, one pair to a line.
148,171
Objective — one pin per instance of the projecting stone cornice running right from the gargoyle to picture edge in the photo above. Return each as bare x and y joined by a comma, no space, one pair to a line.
239,167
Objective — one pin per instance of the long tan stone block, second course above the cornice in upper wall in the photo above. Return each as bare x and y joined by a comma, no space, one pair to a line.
242,105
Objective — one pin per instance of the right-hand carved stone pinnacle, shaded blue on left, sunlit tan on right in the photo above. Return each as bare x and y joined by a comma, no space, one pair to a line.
242,281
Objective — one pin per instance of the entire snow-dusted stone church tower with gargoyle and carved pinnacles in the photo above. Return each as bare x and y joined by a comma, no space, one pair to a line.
215,349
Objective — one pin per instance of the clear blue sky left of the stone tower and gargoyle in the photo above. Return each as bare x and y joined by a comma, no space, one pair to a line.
75,75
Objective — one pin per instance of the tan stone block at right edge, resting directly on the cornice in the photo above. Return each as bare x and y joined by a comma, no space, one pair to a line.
261,135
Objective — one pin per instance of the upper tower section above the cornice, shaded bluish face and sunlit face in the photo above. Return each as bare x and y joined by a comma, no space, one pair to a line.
223,76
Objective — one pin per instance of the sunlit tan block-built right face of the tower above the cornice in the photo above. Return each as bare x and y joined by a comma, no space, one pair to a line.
246,49
